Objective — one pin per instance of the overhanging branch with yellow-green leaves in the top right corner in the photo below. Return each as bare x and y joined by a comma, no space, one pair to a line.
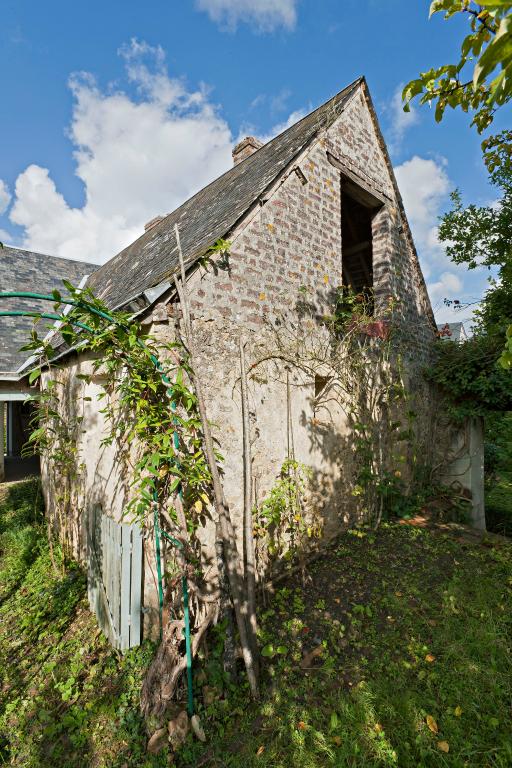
480,81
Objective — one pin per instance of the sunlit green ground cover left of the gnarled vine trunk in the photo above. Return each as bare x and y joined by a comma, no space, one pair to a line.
67,698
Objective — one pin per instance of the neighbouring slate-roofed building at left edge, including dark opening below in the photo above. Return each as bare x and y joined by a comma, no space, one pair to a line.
22,270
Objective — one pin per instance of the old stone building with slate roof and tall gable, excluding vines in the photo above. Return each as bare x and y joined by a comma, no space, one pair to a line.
314,208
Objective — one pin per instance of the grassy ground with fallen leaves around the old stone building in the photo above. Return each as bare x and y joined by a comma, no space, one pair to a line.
411,625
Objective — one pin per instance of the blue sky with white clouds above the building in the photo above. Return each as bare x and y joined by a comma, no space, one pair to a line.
115,112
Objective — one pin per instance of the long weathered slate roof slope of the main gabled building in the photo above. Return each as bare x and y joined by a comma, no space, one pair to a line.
211,213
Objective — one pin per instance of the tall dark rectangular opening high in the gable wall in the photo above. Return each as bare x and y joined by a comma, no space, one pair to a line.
356,245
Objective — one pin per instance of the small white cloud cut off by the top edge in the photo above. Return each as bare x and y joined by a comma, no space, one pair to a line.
267,15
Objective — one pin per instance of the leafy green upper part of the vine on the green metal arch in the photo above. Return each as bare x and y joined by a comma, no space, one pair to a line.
147,401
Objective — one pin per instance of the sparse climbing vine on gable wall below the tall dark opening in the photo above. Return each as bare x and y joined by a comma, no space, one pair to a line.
356,354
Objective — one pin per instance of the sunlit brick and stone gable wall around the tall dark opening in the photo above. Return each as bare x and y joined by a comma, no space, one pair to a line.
290,251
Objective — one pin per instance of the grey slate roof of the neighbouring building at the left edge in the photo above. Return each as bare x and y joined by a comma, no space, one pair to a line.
22,270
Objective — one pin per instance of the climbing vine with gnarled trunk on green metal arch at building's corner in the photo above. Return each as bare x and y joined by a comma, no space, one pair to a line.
156,418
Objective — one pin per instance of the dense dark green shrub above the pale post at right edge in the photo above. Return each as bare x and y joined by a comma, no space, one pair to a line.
470,379
